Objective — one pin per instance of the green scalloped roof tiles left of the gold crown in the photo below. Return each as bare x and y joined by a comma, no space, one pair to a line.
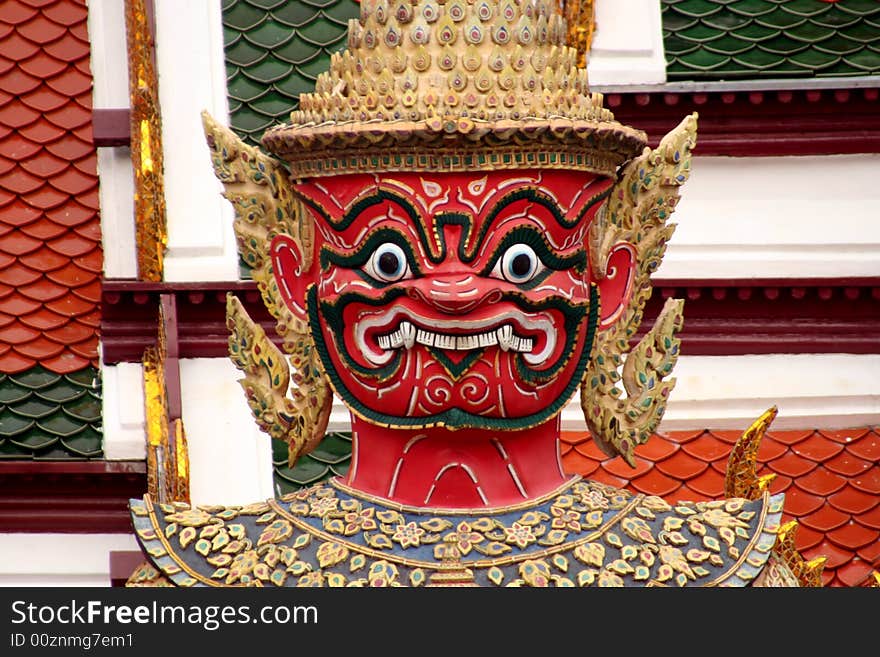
274,52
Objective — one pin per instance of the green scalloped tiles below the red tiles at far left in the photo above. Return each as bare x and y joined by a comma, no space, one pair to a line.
48,416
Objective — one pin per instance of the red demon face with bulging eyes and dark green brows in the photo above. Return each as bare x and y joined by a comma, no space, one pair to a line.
456,300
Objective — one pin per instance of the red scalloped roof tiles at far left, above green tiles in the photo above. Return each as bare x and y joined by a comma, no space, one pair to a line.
50,235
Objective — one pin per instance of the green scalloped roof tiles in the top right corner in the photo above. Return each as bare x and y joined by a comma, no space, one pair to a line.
738,39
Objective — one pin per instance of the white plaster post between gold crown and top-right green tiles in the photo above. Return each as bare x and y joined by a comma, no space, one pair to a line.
627,44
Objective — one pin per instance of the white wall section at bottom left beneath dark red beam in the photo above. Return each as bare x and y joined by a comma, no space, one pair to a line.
59,560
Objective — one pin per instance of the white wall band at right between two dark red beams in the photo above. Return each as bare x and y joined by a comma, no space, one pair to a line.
777,217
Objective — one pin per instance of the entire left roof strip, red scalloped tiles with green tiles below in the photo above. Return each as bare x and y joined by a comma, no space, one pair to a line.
50,235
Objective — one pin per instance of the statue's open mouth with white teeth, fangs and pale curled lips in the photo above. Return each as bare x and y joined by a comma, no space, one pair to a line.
533,335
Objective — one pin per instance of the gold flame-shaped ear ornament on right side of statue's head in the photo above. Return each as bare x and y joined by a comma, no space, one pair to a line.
638,211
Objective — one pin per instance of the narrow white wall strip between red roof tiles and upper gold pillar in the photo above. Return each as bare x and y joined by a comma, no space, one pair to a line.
116,190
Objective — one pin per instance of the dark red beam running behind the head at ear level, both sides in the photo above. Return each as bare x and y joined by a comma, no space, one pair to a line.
722,317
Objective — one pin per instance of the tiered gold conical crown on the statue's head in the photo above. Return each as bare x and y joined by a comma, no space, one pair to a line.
453,85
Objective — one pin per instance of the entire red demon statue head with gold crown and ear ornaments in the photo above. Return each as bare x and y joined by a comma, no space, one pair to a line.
463,235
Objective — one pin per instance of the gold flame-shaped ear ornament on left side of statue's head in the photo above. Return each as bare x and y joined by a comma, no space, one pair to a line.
288,395
